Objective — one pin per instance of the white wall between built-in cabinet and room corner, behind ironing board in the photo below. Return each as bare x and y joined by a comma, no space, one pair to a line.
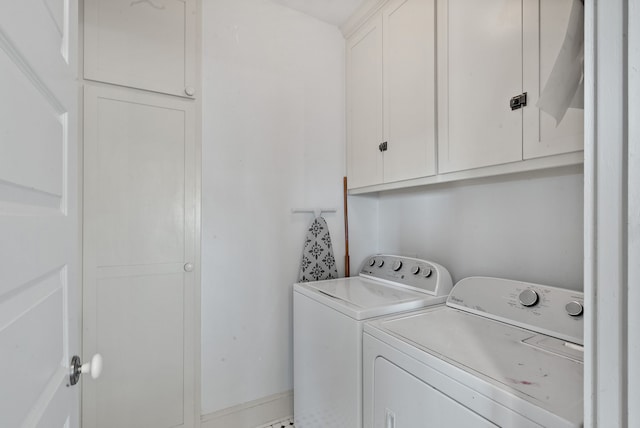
273,139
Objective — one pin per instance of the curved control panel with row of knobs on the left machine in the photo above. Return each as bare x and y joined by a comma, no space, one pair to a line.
416,274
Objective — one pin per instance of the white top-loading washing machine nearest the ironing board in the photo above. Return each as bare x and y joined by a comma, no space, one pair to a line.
327,332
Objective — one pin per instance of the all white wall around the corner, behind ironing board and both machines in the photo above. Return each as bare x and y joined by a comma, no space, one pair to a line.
273,139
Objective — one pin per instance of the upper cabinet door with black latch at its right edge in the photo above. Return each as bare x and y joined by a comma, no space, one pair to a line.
480,69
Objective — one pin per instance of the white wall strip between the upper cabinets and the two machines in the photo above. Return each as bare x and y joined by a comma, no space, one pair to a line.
525,226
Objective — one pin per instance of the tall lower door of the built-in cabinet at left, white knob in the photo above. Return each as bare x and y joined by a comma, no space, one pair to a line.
139,248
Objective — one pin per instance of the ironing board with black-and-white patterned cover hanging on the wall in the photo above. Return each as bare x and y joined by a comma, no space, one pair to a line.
318,262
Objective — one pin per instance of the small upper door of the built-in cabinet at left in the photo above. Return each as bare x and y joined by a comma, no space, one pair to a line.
146,44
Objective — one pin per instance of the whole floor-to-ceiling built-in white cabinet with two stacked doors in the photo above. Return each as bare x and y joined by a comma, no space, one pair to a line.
141,213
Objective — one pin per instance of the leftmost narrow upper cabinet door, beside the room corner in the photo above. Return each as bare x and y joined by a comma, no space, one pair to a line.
364,97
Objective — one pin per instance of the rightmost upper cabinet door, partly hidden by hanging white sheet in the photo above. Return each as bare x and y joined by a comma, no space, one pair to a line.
545,24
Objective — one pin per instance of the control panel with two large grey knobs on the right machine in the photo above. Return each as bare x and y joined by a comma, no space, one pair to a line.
553,311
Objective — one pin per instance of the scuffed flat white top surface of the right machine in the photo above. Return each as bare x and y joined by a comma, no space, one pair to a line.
541,369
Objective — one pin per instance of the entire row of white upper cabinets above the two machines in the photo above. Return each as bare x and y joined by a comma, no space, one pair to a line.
405,117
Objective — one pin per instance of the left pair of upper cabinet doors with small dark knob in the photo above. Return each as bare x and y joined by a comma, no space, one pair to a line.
391,95
